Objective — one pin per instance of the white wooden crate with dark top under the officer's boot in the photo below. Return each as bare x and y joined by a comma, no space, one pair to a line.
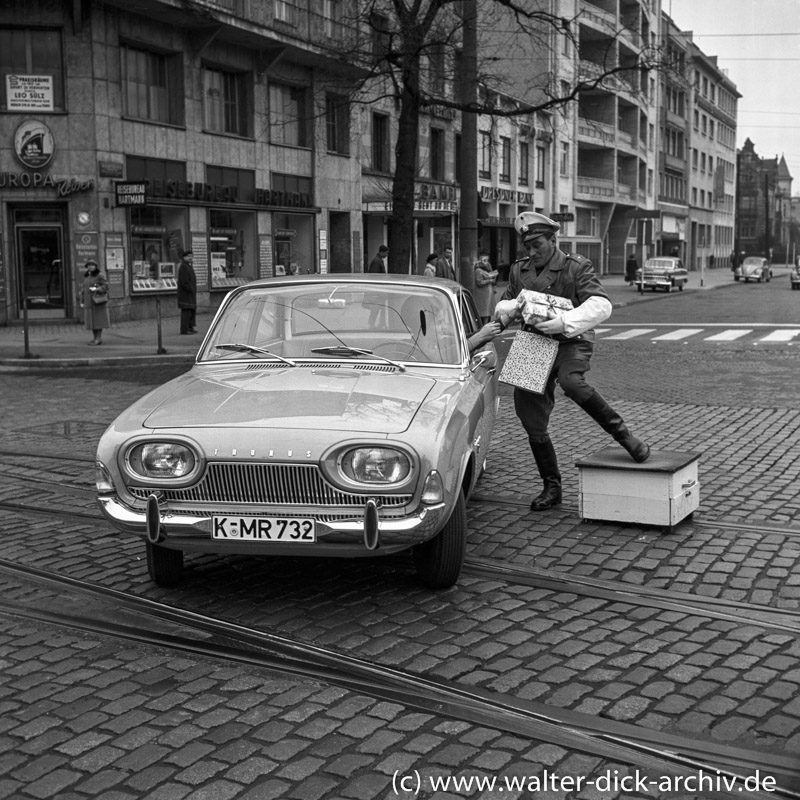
662,491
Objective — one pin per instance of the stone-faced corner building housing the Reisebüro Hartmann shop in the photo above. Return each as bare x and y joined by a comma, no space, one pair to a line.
133,129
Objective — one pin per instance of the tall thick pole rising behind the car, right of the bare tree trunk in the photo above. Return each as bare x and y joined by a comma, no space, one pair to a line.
468,209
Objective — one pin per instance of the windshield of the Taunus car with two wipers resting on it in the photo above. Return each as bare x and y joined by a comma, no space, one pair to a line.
380,322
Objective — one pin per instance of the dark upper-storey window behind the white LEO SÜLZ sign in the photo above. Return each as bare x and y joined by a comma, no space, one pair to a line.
32,52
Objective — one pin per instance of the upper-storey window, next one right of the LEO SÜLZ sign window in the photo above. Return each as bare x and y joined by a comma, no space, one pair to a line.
152,85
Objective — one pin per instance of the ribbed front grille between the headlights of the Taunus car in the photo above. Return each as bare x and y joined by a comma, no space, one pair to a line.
268,484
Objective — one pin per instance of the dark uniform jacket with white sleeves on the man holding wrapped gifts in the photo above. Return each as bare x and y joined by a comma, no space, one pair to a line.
572,277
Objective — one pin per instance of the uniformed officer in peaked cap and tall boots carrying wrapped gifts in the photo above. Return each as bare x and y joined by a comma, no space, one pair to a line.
548,269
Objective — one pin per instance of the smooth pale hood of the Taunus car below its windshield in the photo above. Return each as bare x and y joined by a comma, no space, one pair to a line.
342,399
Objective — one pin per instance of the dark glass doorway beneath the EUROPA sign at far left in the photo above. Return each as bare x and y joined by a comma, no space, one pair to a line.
40,269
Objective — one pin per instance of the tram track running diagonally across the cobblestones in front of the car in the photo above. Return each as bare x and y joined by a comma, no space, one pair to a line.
104,611
